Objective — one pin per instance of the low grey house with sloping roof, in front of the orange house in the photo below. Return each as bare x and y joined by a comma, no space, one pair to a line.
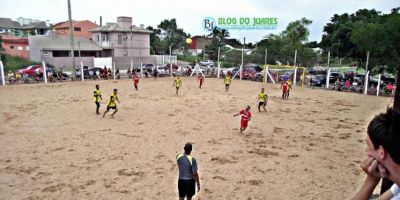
56,50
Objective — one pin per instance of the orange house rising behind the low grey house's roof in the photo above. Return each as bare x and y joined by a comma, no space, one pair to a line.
81,28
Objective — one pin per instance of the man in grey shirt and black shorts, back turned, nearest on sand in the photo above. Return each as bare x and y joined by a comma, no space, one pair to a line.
188,175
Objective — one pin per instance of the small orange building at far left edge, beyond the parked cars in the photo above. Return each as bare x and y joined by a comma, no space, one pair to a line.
16,46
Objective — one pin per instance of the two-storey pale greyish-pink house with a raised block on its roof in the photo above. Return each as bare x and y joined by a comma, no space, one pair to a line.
123,39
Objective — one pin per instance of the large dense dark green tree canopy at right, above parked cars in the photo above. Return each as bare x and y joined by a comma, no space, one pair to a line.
352,35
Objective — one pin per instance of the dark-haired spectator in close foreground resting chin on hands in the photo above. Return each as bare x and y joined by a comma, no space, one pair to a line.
383,155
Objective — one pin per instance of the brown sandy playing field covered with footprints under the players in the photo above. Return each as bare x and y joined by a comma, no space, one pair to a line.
54,146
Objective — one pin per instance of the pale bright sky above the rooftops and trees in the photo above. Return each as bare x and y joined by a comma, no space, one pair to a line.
190,13
